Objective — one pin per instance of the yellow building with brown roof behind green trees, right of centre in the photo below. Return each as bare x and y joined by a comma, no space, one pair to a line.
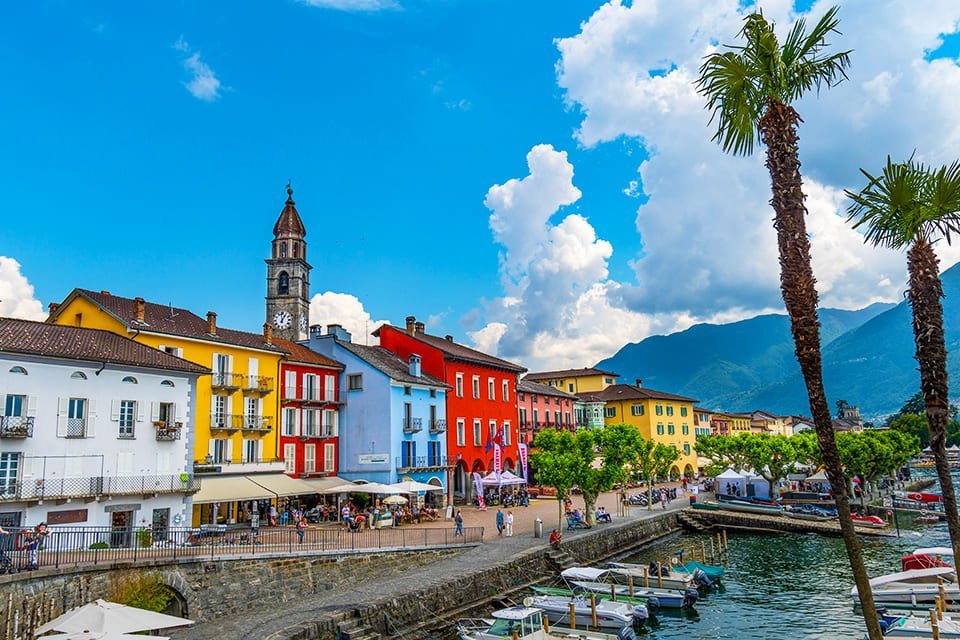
662,417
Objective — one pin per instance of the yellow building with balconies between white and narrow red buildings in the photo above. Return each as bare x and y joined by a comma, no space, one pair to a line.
234,430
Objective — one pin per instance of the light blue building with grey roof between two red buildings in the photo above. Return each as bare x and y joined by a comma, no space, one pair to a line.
393,421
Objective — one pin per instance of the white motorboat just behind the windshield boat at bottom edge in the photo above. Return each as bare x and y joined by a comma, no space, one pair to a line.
578,611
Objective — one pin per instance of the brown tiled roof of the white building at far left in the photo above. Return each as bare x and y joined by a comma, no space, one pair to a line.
95,345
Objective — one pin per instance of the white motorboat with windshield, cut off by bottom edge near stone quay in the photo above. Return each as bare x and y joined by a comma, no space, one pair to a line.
528,624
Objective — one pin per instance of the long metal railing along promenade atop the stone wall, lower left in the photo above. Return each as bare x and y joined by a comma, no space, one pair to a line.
77,546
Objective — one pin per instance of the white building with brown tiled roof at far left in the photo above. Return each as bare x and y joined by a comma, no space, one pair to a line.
95,430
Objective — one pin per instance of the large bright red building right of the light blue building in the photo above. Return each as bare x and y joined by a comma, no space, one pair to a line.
481,400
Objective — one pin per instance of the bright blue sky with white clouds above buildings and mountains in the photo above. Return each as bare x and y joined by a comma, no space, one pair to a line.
146,148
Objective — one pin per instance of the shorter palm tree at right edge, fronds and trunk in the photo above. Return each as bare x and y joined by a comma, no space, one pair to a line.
910,205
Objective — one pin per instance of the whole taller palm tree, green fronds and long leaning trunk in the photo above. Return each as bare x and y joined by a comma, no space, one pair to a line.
750,90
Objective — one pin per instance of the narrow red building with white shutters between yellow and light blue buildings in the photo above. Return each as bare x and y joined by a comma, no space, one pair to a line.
309,411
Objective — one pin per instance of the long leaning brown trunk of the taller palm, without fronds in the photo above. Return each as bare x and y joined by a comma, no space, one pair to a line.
798,285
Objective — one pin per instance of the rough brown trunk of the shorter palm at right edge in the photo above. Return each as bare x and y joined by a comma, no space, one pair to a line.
925,293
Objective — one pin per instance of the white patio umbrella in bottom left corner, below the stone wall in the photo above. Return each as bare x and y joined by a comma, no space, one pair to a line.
102,616
